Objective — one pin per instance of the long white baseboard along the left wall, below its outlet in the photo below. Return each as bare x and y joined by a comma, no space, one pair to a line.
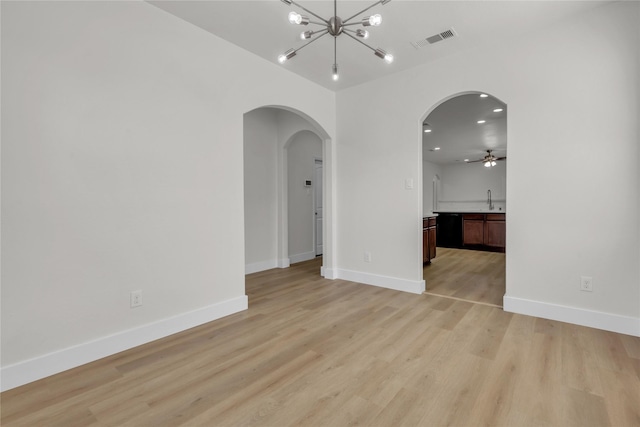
43,366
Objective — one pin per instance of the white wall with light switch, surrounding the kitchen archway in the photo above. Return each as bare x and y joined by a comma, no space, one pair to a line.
572,90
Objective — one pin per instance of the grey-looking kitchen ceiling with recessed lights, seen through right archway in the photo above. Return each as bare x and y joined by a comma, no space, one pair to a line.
455,130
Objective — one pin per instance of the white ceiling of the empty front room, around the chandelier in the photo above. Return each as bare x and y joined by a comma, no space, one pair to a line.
262,27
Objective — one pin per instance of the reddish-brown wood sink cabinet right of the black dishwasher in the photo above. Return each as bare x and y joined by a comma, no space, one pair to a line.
484,231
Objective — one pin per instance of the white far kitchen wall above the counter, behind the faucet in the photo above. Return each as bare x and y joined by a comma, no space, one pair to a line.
464,186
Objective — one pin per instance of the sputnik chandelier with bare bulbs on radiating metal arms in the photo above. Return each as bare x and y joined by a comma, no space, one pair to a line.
335,26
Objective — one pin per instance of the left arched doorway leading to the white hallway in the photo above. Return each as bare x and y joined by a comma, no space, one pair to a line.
268,132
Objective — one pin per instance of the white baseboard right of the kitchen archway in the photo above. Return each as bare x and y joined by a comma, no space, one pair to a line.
578,316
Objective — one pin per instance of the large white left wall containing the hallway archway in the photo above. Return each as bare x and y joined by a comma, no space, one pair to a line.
122,169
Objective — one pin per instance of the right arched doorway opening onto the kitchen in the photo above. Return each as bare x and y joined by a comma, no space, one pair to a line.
464,148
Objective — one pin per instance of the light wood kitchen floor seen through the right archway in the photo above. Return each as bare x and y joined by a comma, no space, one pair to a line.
469,275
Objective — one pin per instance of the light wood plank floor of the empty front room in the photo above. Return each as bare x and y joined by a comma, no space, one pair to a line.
315,352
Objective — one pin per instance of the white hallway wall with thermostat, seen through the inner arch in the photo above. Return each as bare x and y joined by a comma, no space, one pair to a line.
302,151
